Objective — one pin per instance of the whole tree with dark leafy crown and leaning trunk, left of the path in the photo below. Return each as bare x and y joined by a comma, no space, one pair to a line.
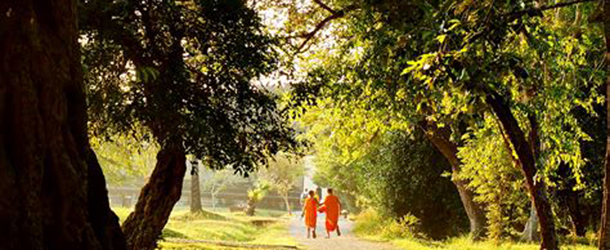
192,68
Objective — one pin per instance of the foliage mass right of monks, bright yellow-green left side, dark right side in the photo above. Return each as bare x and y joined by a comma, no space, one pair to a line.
384,169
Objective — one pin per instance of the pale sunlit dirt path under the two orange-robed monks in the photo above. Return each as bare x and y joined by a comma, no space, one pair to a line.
345,241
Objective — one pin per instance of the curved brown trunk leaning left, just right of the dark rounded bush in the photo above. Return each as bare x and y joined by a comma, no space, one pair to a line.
474,211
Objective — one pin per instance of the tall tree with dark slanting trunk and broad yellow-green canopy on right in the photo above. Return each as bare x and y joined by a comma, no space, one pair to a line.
476,61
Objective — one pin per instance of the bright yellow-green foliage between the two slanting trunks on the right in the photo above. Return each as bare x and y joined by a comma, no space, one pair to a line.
496,179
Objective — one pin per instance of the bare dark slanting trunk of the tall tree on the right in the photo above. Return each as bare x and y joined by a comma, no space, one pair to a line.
527,162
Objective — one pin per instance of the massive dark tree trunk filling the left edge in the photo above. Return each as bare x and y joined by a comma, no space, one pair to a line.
52,191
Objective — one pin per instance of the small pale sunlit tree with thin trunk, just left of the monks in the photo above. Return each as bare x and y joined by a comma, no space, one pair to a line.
282,175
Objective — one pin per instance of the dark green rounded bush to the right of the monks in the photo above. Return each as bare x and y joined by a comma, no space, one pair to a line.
408,180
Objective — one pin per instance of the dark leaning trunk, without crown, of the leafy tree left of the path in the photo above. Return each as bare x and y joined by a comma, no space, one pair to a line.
157,199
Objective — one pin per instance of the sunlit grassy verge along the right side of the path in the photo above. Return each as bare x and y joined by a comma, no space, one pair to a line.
372,227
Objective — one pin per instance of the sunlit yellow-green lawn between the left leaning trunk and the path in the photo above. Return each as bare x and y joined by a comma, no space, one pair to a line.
267,228
